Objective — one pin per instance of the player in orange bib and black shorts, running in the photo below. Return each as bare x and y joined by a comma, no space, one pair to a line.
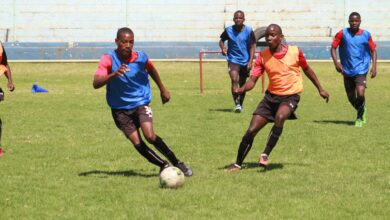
281,62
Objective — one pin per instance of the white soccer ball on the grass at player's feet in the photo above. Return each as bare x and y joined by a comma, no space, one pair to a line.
171,177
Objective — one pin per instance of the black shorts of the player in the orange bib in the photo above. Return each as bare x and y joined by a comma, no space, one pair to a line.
270,105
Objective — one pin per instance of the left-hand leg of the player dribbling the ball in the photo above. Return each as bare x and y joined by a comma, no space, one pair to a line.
127,123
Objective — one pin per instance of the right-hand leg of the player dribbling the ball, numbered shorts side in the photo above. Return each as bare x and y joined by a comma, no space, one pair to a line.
145,116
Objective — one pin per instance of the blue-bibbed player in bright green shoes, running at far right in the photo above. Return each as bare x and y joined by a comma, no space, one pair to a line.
356,50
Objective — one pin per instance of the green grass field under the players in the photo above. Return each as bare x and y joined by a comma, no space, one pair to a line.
65,159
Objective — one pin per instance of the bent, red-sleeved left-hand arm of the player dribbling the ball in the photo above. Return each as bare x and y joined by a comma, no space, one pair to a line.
102,76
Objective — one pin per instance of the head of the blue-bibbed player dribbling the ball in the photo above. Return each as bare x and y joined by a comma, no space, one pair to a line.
124,41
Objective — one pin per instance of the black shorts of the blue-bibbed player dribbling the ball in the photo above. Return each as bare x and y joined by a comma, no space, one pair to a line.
129,121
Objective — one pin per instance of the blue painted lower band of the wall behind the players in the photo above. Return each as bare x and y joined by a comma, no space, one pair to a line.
155,50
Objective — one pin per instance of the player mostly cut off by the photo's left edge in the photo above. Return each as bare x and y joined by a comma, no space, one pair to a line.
6,70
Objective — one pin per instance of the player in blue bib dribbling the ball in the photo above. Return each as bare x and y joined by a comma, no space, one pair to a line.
125,73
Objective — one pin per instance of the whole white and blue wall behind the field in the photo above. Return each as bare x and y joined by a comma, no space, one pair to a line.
74,29
